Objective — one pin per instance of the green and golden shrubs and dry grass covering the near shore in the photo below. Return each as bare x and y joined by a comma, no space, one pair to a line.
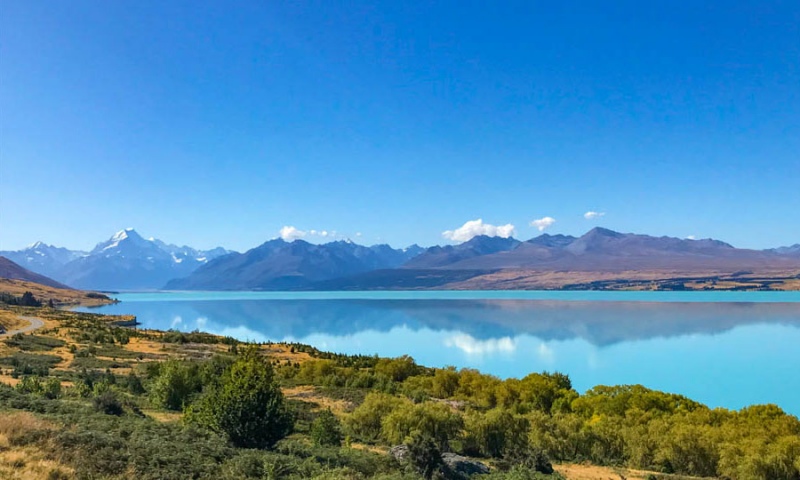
84,398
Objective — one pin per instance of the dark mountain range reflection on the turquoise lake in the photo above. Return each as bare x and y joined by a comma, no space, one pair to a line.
599,323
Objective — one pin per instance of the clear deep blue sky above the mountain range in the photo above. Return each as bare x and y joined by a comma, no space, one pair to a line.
218,123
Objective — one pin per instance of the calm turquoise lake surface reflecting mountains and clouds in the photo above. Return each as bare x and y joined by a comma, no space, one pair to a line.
725,349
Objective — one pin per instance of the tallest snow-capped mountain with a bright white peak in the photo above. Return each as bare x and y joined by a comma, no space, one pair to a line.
127,261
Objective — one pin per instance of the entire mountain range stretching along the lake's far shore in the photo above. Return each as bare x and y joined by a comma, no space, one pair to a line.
127,261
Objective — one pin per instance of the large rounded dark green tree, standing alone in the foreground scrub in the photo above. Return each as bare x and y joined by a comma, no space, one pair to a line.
247,405
